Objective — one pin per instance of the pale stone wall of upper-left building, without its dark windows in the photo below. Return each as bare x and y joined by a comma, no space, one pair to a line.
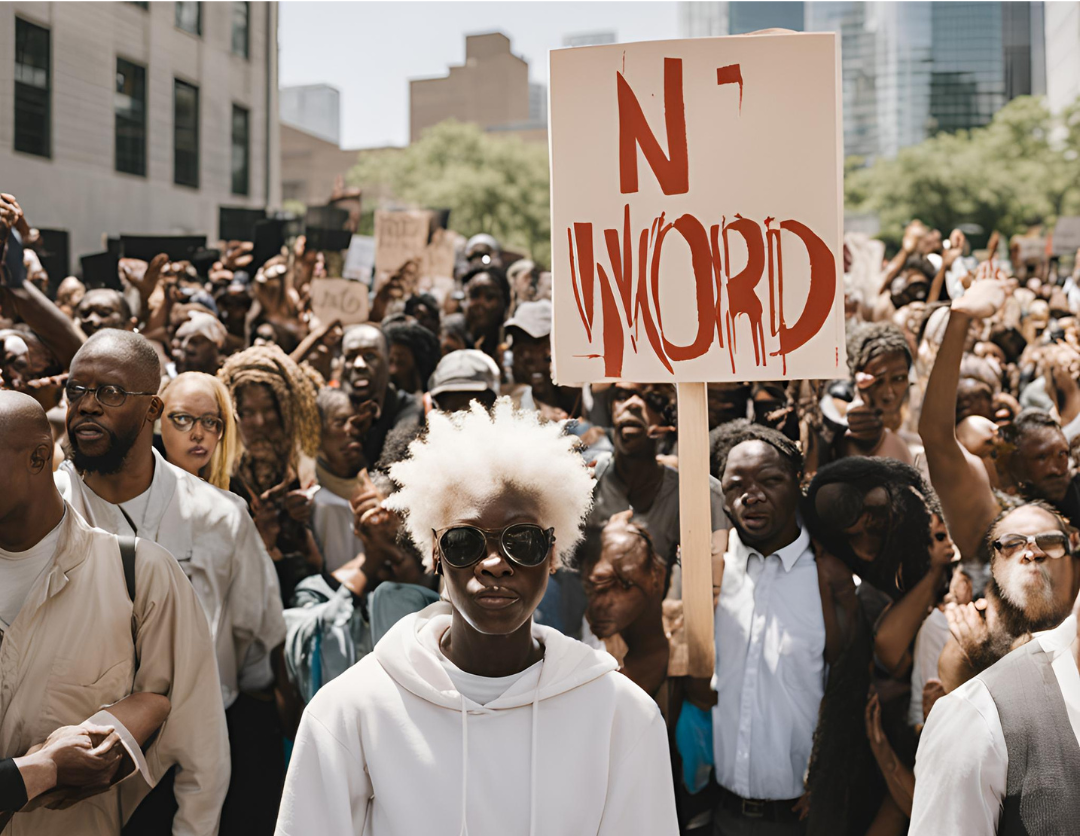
79,190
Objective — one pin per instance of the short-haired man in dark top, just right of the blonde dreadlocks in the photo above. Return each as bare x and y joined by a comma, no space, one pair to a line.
379,407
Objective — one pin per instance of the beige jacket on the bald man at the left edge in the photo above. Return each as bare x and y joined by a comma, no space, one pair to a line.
71,652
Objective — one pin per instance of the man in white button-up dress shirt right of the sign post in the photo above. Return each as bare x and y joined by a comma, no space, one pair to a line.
771,639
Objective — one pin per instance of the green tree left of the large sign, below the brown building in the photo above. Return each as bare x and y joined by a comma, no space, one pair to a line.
491,184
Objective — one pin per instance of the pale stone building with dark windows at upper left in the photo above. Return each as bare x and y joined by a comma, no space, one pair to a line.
139,118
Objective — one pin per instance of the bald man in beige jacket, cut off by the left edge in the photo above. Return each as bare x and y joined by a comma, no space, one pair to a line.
74,641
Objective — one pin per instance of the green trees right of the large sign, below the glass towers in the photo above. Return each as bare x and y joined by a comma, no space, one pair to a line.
1022,169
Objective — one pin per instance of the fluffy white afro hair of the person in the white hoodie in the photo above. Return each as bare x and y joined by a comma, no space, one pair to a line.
470,456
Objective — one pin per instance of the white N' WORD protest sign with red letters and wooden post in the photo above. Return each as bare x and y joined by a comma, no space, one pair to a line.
697,222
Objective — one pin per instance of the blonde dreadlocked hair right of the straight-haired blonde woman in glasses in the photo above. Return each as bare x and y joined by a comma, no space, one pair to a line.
294,389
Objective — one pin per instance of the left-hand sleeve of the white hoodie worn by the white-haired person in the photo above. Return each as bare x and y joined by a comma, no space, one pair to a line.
328,788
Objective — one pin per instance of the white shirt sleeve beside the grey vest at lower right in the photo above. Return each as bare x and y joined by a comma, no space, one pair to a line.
962,766
